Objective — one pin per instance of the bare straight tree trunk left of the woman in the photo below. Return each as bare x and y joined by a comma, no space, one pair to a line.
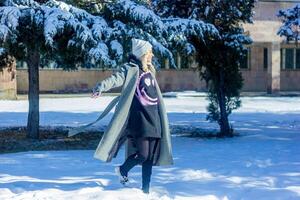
33,61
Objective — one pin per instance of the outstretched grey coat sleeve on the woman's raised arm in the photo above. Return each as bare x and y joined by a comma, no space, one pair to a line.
117,79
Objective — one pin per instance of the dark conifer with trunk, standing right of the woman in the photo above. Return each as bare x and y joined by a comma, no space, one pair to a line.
219,59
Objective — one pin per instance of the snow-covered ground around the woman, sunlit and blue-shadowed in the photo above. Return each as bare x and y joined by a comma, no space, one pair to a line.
263,163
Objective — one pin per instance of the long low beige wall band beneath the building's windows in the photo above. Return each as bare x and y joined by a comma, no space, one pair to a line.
81,81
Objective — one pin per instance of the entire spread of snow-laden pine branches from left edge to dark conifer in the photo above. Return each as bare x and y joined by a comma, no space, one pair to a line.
102,38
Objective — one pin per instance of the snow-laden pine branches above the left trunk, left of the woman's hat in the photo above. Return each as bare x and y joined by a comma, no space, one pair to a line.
56,18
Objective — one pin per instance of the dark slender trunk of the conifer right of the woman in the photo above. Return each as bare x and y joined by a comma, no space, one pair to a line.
225,130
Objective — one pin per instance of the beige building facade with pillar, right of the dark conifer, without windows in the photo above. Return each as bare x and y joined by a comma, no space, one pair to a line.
264,34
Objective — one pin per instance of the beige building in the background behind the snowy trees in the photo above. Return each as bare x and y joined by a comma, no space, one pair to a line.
272,64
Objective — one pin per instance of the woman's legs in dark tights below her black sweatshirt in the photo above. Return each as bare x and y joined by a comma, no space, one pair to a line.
144,156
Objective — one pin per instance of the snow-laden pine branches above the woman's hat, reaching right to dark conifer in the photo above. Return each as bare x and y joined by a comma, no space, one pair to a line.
163,34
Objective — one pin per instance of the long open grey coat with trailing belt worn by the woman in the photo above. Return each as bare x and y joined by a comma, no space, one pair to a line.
115,134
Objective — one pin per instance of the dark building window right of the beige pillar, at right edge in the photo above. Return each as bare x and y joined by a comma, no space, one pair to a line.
290,58
